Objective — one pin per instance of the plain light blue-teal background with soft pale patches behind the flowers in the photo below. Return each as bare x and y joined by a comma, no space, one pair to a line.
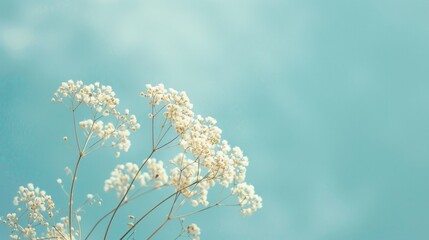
329,99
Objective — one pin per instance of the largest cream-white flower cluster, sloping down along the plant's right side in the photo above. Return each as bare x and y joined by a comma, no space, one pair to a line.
213,156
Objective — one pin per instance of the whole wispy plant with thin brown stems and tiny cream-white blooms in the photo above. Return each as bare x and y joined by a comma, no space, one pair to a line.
203,162
